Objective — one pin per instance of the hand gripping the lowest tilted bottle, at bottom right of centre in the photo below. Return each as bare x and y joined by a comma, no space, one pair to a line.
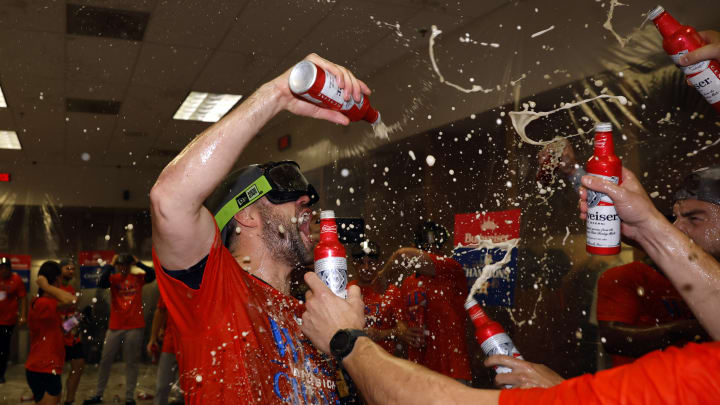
524,373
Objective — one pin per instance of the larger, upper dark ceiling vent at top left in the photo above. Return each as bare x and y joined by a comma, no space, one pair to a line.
106,22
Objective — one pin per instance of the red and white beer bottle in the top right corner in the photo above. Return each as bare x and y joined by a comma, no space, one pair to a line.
679,40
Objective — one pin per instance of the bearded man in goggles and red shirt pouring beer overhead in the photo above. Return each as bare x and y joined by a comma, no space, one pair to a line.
225,278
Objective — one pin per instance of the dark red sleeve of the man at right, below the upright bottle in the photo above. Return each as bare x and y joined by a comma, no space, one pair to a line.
617,298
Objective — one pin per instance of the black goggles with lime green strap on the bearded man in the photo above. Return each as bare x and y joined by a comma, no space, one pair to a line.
281,182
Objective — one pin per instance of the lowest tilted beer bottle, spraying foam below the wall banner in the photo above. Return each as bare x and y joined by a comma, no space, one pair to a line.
491,335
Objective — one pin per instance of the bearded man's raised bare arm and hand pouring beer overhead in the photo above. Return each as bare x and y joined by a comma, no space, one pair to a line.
183,229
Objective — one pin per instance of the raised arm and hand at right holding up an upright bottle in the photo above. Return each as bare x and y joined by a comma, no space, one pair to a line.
693,272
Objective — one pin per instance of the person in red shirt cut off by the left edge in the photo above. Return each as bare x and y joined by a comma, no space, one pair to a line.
12,297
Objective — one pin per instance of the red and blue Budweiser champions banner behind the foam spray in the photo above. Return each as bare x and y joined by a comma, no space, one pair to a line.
489,242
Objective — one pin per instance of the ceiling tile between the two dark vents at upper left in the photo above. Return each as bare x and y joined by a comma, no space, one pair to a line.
100,60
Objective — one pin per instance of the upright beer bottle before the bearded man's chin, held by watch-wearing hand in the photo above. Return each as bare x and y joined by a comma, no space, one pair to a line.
330,261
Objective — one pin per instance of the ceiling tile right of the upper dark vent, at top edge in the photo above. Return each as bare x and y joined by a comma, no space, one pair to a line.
196,24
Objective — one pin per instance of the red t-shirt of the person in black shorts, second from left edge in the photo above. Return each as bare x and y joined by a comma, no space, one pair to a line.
47,348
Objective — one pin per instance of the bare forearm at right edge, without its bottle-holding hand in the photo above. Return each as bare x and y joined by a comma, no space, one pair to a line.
693,272
